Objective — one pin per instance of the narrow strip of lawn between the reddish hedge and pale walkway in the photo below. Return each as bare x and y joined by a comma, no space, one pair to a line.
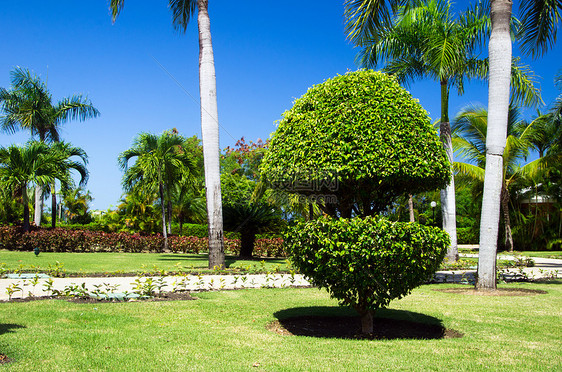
87,263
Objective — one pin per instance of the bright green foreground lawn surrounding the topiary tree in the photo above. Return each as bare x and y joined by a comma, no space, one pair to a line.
227,331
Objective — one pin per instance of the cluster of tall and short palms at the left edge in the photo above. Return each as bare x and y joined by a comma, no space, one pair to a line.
28,105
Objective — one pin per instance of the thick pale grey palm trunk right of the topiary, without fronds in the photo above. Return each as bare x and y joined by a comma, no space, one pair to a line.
499,51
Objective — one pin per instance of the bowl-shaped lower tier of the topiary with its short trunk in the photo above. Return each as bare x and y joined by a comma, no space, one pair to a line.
366,262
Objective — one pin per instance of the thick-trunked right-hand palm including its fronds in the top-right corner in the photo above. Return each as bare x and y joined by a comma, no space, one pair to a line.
539,25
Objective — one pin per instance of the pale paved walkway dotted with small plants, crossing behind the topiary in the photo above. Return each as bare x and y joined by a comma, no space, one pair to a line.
29,285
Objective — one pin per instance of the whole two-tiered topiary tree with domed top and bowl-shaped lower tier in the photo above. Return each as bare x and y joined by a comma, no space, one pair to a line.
352,145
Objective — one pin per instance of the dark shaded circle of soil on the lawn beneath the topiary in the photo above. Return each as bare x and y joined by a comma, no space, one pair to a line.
338,322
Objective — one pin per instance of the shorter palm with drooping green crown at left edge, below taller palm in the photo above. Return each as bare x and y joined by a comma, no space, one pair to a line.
37,164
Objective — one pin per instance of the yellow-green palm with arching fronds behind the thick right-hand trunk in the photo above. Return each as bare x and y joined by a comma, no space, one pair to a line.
520,178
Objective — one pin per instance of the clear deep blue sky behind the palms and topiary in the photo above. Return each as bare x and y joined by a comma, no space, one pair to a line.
143,76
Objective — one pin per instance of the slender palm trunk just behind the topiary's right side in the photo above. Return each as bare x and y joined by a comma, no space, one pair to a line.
448,207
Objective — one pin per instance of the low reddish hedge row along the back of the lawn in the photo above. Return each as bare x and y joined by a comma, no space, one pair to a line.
63,240
